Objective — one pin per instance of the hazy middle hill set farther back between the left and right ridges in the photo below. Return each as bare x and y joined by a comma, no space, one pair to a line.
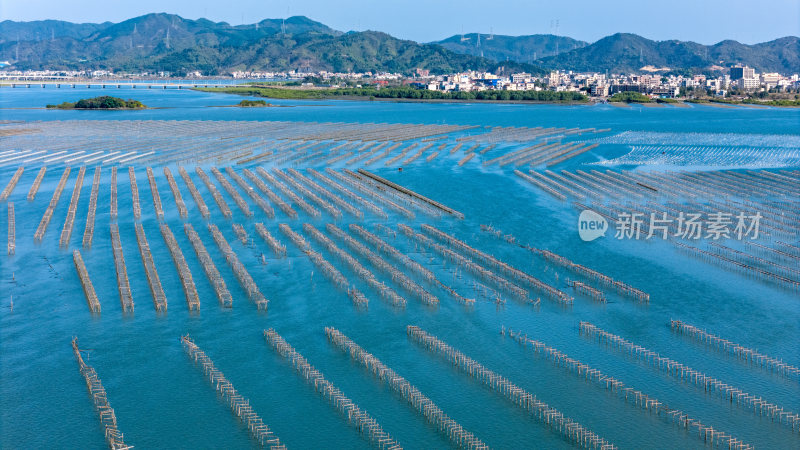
514,48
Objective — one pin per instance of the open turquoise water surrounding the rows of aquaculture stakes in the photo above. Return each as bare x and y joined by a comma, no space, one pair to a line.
163,401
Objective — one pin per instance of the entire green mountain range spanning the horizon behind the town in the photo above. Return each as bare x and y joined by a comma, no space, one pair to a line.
165,42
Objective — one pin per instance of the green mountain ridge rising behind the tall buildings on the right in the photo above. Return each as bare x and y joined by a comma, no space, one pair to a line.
624,52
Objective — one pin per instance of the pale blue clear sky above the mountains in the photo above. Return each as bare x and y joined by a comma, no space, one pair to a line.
704,21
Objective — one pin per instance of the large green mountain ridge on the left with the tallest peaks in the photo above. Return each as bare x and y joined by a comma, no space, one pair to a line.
157,42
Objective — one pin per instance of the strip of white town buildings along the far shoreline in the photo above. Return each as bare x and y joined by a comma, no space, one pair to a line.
736,80
